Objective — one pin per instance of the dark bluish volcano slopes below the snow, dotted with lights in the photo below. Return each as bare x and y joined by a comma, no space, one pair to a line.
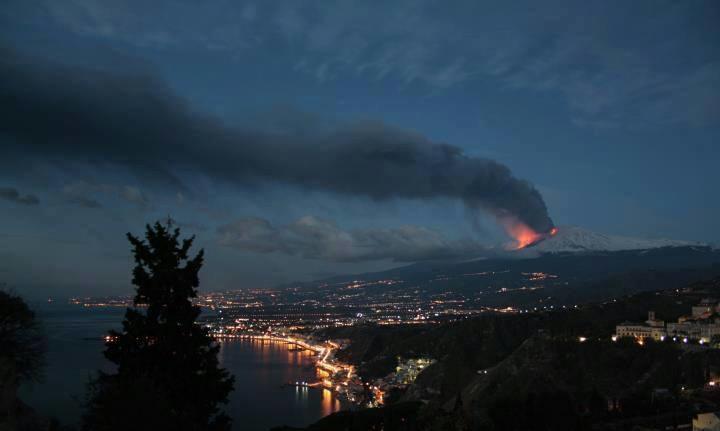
551,279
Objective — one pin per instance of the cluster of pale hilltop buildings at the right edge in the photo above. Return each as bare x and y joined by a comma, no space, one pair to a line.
702,325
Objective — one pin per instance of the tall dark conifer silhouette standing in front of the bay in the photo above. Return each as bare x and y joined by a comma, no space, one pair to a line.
168,376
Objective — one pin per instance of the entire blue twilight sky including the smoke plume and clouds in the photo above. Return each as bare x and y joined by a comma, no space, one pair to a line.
303,139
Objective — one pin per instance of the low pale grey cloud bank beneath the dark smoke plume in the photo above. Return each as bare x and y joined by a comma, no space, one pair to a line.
314,238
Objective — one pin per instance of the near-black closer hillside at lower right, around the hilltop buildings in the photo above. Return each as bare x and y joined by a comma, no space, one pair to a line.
525,370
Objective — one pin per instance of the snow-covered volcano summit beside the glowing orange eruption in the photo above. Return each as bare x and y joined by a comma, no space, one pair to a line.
576,239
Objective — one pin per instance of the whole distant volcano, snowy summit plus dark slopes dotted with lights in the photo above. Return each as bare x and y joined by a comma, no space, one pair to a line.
575,265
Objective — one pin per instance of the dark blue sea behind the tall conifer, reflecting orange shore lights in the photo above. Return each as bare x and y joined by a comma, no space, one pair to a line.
261,400
